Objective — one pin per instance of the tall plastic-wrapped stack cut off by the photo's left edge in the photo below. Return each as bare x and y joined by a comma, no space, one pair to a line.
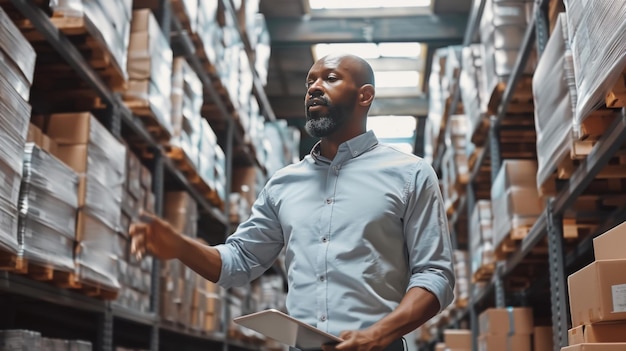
17,64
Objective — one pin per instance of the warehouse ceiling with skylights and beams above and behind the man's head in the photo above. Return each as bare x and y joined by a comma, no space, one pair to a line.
295,28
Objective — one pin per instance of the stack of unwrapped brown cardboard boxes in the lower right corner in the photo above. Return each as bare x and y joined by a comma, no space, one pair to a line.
597,297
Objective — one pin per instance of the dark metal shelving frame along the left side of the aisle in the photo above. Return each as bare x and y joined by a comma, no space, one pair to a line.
40,306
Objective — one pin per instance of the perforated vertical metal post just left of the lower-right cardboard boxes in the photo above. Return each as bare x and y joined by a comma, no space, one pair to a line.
558,287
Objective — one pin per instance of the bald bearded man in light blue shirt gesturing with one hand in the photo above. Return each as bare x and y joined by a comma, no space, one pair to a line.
367,248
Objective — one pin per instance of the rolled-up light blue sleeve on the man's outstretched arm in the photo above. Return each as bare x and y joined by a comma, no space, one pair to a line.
254,246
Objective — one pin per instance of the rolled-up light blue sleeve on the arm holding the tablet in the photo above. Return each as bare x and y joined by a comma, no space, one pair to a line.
428,238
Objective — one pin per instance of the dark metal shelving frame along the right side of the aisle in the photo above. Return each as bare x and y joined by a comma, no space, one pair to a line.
549,226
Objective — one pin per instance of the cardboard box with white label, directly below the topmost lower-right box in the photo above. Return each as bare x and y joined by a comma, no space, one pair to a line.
597,292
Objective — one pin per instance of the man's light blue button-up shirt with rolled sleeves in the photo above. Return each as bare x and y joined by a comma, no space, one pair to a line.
358,232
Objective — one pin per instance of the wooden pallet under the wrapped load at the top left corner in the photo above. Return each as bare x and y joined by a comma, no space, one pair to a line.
89,41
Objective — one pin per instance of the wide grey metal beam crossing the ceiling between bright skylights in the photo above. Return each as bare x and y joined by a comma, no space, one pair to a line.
446,29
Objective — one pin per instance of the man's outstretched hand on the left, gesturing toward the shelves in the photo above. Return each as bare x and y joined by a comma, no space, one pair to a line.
152,235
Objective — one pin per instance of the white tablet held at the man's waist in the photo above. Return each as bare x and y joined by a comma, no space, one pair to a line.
287,330
